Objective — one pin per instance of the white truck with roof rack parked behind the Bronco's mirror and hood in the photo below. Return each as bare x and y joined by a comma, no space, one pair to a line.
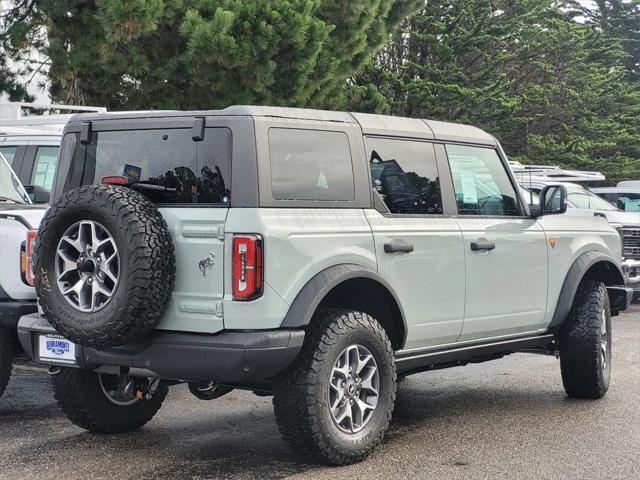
582,201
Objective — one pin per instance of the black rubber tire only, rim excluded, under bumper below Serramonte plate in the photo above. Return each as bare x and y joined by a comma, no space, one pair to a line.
82,400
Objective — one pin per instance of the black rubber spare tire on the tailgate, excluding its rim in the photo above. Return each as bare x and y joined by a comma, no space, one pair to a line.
147,265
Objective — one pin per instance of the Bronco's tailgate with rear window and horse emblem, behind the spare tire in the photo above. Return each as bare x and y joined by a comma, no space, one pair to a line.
190,182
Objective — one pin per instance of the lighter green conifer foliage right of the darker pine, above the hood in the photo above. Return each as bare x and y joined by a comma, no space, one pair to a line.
553,90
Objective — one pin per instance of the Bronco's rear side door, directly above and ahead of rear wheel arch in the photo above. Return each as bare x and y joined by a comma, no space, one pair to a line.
419,248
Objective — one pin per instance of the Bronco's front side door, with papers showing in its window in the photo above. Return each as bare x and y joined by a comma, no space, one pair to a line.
505,251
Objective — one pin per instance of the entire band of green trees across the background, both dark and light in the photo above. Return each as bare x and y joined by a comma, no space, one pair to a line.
557,81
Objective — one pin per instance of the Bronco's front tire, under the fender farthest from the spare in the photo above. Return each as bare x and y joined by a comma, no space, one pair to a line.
581,362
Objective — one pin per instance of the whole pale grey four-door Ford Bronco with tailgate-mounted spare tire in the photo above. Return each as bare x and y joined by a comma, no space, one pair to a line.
316,256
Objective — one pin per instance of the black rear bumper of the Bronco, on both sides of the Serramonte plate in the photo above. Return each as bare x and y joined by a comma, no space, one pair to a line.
233,357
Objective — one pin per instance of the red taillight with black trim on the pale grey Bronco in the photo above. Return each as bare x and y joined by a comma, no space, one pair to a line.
247,267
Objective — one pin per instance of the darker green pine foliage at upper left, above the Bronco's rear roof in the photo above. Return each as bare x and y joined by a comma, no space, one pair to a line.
141,54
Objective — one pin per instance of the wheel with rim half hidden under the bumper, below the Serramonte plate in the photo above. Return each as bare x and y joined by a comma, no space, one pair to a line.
103,403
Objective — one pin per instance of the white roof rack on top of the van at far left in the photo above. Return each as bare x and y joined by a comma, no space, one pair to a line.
41,112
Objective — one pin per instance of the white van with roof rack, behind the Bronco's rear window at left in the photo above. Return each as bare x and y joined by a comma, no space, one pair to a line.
30,141
